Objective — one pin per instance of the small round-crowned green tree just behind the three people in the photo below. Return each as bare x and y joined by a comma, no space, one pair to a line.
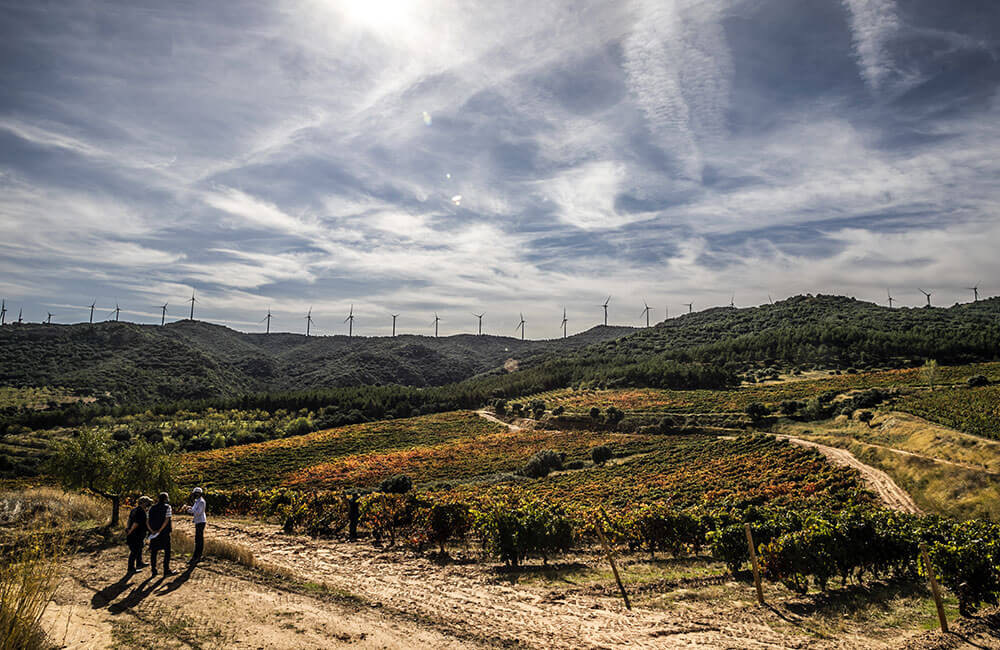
92,461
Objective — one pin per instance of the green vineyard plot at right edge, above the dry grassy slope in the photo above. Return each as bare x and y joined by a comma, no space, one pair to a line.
972,410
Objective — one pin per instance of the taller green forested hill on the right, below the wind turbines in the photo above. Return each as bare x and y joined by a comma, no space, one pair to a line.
825,331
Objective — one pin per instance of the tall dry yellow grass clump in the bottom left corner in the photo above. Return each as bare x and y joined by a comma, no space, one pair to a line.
28,578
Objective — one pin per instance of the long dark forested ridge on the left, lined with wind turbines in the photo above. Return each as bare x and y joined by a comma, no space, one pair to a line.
197,360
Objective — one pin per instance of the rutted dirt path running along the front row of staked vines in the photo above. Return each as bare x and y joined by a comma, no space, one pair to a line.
472,603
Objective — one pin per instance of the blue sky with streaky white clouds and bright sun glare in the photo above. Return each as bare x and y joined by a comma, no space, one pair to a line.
519,157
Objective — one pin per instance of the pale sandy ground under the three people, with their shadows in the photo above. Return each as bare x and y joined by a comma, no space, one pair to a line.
217,605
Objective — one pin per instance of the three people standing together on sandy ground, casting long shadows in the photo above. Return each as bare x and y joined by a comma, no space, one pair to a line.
149,521
